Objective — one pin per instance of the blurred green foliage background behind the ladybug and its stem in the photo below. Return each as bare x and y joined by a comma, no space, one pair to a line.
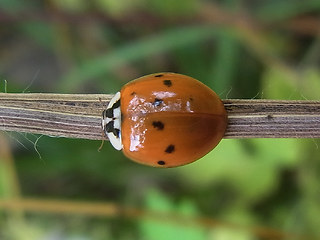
244,189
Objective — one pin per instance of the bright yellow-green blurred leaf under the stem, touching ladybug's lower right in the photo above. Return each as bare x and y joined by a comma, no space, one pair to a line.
239,162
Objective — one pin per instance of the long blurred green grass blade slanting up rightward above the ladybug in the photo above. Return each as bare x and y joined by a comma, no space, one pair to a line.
146,47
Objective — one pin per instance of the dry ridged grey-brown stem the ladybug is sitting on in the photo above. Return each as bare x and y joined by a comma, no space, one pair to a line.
79,116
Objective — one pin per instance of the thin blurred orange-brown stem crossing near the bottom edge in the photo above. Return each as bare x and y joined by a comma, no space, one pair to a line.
105,209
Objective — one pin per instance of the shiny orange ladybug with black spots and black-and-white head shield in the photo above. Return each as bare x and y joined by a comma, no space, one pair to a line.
165,120
